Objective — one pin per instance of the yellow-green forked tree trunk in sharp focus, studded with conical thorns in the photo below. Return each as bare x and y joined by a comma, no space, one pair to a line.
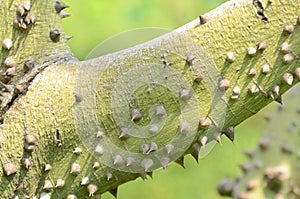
74,129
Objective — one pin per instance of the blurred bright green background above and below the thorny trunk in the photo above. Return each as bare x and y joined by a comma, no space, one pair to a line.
94,21
